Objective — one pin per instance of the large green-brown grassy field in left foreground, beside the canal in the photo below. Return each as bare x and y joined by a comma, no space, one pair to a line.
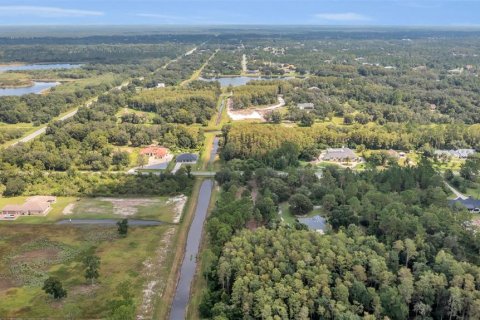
31,253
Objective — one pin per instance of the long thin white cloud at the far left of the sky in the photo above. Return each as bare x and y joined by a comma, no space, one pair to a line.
45,12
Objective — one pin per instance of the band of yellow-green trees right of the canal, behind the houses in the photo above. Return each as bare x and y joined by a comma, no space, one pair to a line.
258,140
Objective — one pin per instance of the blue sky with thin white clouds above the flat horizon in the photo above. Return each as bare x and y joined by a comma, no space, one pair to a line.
211,12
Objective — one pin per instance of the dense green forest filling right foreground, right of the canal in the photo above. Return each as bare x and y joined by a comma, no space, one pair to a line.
396,249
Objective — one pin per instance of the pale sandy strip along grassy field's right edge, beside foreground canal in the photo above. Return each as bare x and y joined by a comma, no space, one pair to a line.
152,269
